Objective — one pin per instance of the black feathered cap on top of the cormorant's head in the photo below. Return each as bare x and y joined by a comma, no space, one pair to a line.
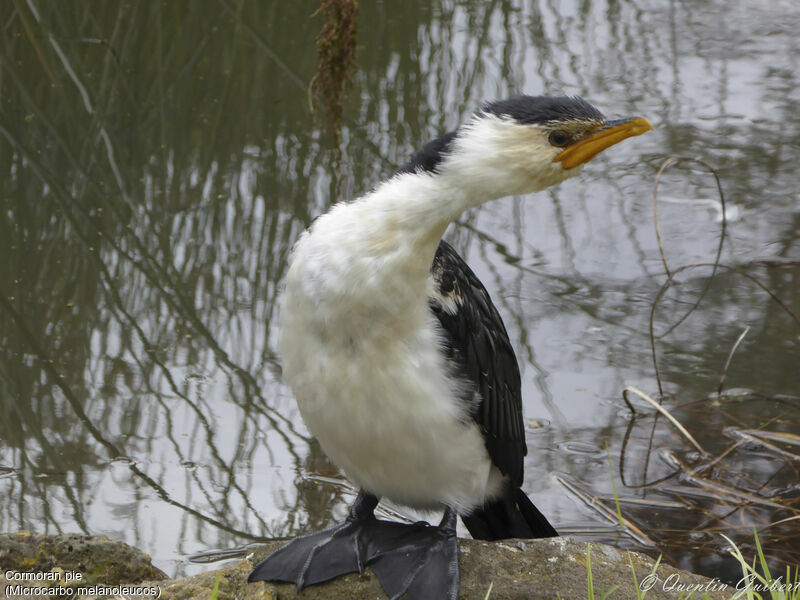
537,110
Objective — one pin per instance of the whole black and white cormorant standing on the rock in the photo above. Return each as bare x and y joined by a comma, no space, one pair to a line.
400,363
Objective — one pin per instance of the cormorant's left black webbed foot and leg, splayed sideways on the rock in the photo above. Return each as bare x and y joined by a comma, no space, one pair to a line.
326,554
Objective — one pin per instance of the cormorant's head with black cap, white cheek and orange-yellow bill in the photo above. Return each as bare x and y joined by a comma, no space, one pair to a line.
525,144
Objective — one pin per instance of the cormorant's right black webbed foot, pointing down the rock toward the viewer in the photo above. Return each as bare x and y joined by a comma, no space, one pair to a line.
419,561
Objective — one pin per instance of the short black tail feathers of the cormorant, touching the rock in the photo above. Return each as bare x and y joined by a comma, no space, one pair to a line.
512,515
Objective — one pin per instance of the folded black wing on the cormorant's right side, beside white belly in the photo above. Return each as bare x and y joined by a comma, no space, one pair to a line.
477,344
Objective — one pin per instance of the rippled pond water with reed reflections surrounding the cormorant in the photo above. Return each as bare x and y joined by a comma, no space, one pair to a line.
158,160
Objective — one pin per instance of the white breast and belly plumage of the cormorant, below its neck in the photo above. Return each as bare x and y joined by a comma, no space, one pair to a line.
361,352
